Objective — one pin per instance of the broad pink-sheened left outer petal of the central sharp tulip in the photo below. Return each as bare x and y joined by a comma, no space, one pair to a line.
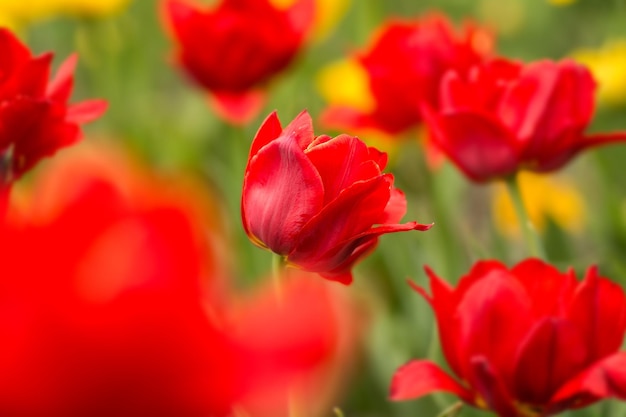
281,192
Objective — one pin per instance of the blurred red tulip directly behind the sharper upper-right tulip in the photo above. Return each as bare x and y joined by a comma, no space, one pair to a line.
404,64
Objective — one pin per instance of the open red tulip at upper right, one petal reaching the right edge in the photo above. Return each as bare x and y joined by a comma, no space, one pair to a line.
505,117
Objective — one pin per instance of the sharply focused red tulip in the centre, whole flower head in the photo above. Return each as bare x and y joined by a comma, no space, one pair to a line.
320,202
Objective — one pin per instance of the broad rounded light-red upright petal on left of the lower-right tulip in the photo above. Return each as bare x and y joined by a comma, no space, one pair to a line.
494,317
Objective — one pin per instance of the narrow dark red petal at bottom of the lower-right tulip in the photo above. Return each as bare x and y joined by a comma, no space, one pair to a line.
491,387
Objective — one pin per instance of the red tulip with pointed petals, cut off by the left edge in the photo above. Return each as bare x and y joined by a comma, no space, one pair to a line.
35,117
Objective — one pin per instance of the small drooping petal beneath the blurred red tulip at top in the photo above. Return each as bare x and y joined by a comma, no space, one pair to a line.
238,108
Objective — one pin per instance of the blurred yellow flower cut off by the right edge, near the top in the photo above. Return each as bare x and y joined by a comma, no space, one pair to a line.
608,65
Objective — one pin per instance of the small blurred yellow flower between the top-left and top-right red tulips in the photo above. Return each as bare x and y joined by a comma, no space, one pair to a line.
346,83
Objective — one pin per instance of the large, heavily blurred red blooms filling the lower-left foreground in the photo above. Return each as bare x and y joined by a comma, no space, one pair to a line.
107,309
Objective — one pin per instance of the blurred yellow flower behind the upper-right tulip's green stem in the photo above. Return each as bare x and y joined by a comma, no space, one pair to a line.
544,197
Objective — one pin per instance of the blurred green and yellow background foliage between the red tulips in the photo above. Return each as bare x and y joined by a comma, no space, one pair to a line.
160,118
